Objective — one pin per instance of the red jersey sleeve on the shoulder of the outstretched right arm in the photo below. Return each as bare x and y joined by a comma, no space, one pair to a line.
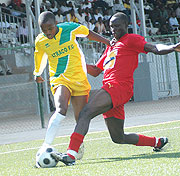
137,42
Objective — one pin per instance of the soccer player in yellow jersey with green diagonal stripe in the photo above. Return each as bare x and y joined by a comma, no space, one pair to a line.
67,67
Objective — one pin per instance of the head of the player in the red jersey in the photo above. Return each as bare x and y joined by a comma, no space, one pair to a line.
119,25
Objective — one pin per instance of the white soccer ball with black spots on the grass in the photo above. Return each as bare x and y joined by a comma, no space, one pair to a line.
43,157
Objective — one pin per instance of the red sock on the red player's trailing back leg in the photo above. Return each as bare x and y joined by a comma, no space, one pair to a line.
146,141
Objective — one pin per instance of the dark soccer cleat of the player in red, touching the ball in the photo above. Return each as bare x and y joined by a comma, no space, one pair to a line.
63,157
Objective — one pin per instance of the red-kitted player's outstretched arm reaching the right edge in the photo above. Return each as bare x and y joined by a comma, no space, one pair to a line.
161,49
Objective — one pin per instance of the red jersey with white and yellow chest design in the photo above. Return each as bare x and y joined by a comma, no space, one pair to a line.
120,61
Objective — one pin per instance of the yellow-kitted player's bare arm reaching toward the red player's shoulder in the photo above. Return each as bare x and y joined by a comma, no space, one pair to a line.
94,36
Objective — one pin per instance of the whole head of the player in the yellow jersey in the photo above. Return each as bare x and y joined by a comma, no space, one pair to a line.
47,23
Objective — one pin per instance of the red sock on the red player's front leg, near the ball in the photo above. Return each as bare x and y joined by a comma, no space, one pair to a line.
75,142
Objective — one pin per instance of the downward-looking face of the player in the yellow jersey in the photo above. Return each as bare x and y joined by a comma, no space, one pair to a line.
49,29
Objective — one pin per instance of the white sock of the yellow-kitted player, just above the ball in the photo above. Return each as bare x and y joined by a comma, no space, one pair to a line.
53,127
